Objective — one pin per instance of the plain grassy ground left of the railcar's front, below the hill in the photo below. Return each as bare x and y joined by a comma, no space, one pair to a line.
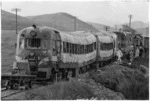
8,50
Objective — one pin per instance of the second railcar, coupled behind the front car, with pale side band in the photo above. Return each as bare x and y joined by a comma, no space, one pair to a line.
105,48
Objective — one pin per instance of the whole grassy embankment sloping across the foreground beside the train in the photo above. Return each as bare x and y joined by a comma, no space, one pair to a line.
112,82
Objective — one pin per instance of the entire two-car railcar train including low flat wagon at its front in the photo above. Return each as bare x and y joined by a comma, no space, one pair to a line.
47,54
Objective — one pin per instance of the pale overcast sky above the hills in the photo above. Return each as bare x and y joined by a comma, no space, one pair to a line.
108,12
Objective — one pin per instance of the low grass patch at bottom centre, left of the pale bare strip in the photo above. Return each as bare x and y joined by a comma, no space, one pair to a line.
61,91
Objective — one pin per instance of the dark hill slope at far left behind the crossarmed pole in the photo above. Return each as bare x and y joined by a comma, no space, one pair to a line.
9,21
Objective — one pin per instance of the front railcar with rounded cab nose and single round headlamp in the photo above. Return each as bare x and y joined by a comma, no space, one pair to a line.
42,51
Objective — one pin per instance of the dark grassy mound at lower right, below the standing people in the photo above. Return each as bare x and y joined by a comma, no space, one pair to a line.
130,82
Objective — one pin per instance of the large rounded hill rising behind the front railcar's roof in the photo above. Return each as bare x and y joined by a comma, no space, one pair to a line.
62,21
